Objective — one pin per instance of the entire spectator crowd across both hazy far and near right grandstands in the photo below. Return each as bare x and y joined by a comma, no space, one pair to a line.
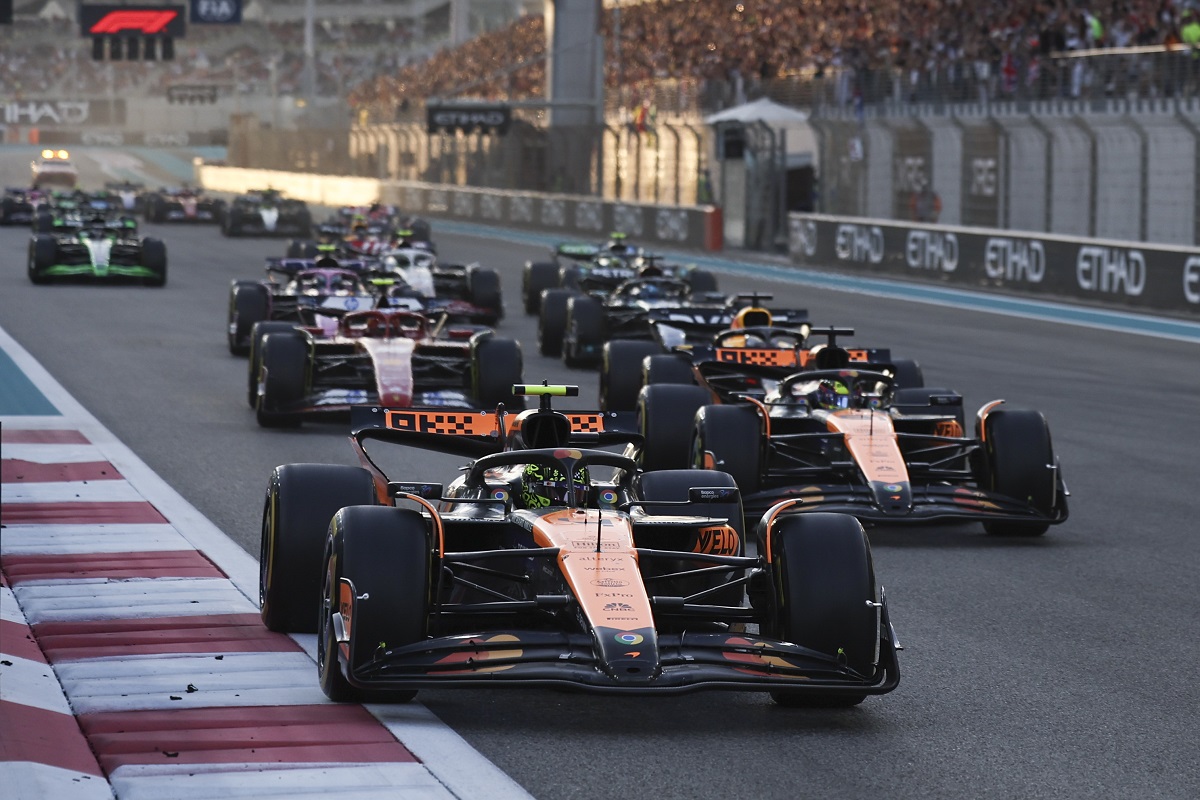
723,51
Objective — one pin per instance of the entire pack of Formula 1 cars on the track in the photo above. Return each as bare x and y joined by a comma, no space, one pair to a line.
704,528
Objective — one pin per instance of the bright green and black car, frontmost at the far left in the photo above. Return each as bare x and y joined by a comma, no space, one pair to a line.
98,250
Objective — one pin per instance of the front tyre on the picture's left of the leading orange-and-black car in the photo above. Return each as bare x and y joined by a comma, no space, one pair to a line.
386,556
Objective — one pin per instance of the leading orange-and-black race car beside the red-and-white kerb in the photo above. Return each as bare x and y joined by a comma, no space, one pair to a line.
531,570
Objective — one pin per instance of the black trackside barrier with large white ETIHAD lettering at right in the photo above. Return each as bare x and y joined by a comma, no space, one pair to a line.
1133,276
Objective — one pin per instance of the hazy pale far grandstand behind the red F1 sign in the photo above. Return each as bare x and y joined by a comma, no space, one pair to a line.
44,53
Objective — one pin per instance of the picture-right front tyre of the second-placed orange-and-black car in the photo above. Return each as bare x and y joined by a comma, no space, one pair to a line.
1019,464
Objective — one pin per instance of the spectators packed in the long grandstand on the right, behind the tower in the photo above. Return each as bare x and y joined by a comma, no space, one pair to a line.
863,50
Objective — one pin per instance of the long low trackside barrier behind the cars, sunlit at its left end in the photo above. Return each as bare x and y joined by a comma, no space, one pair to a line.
575,218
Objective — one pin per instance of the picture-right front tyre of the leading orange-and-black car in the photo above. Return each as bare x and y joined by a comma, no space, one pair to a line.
824,586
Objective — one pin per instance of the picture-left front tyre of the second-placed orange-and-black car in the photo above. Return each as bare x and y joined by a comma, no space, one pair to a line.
729,438
